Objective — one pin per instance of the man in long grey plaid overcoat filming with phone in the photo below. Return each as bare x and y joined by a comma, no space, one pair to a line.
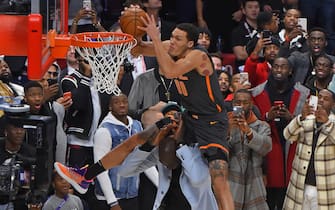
250,141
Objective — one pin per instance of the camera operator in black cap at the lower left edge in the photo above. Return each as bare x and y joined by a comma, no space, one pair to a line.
13,151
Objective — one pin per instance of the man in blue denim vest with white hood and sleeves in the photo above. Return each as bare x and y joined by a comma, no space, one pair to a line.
116,127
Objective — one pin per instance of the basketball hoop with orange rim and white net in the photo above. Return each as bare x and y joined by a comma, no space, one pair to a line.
105,52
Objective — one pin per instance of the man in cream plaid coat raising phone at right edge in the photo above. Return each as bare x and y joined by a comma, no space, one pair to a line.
311,182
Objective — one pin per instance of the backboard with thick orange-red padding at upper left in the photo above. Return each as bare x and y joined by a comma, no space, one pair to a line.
24,32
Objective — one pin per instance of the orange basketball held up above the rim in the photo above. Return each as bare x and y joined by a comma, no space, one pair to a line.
129,21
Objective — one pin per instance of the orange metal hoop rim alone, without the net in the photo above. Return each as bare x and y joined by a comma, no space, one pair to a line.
79,39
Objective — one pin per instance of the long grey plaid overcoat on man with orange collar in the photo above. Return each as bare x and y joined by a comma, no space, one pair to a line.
245,164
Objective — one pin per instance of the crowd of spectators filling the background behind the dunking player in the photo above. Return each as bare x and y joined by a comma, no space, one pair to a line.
268,139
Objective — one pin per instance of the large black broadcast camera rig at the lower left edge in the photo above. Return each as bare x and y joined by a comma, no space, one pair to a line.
40,132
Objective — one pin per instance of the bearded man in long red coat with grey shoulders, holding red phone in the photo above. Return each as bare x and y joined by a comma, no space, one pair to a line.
279,87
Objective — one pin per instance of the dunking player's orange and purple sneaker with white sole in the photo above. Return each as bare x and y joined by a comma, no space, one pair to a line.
75,176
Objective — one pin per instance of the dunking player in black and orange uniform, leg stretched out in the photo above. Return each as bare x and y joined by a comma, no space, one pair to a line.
205,119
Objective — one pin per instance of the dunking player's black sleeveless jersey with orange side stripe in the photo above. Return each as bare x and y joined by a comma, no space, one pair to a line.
200,94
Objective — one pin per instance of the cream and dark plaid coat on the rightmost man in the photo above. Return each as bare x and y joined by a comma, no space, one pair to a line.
324,160
